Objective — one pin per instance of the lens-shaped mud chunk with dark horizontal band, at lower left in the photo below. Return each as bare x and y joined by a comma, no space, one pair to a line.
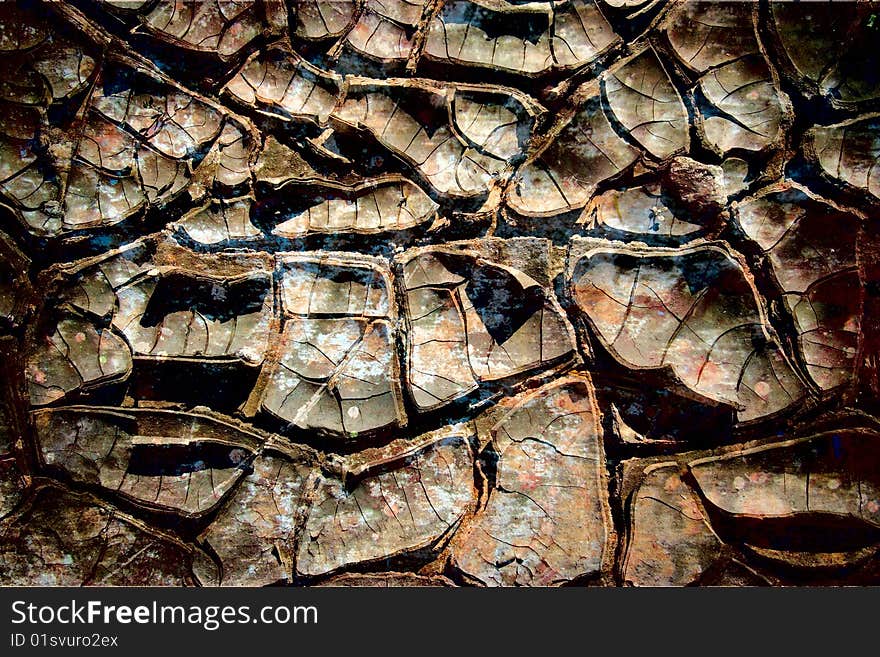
173,462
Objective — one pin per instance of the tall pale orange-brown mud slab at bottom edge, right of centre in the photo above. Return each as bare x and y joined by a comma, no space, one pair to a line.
547,520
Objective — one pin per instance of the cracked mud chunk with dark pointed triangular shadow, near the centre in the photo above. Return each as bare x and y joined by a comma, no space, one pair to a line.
470,321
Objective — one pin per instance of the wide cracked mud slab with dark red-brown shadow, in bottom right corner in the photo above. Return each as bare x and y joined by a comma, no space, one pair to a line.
806,504
